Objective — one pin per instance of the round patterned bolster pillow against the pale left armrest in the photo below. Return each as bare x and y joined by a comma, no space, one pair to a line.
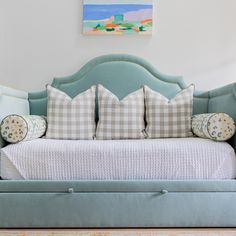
17,128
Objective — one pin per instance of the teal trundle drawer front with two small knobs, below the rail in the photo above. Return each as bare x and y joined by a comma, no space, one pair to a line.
117,209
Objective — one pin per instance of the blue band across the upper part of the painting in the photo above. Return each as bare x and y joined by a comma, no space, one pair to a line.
100,12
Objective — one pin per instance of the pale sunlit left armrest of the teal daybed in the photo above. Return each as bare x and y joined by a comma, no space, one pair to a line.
12,101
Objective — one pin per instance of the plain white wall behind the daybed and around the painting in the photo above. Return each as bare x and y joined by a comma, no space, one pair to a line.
41,39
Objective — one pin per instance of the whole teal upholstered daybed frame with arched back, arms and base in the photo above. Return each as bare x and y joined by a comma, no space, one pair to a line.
156,203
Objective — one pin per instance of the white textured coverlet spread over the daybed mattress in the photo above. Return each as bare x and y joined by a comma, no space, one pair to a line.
173,158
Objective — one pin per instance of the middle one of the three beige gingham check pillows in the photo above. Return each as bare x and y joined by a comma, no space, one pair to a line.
120,119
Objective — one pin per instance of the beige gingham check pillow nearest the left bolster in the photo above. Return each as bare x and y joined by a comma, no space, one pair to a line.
71,118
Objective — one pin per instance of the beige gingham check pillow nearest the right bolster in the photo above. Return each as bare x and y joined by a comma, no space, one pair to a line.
169,118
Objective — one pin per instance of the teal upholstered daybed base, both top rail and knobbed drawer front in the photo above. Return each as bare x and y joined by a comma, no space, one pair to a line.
114,204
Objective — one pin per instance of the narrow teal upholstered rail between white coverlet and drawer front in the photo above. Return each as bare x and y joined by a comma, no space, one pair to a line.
31,186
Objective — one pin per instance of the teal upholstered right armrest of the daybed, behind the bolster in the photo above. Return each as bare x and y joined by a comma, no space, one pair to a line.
224,100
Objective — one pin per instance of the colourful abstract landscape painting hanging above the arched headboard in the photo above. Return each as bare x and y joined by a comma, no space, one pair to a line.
118,17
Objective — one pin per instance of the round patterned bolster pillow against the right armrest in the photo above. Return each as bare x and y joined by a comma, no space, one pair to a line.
215,126
